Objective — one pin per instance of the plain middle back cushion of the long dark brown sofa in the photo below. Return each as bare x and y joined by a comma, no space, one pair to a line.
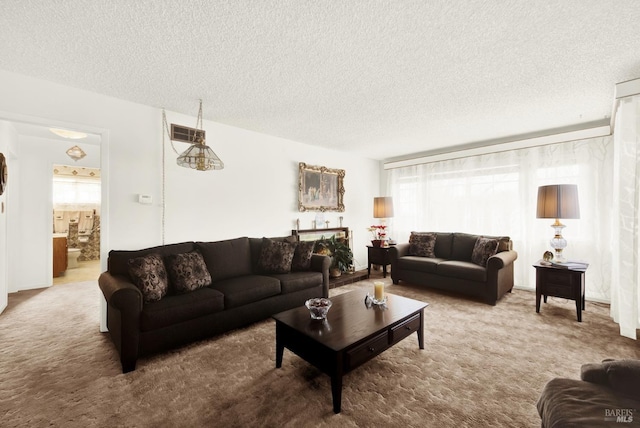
226,259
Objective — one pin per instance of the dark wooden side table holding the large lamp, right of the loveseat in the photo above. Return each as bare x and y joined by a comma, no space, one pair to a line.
567,283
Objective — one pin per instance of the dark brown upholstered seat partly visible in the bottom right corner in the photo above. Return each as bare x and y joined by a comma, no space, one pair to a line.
607,395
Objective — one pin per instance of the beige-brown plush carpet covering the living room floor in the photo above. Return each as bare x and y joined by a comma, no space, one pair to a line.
482,366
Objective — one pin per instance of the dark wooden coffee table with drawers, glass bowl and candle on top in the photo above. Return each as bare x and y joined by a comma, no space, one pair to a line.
351,335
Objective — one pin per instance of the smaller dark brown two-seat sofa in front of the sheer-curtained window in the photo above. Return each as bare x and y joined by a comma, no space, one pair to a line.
449,265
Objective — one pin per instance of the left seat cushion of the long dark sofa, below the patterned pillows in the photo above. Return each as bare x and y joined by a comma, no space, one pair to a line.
182,307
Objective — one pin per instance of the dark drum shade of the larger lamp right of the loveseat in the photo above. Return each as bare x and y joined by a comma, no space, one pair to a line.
558,201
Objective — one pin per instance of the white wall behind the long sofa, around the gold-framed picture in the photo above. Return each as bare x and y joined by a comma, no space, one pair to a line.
255,195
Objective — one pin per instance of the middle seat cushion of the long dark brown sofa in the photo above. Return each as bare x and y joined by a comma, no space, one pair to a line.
247,289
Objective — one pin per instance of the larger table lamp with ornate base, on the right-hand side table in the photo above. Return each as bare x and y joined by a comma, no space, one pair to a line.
558,201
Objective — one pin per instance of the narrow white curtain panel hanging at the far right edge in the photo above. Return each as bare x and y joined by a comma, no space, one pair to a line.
625,293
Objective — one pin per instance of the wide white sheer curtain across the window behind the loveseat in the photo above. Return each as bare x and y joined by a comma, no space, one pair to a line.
495,194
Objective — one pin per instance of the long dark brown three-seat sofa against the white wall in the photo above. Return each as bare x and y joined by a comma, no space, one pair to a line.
240,292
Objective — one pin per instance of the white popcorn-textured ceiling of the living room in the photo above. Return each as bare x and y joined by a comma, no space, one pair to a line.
381,79
